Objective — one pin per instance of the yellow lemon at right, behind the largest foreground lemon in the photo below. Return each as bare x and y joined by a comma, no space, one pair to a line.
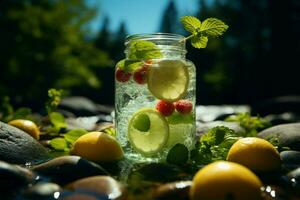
255,153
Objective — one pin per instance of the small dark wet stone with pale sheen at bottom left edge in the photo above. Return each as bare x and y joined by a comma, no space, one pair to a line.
42,191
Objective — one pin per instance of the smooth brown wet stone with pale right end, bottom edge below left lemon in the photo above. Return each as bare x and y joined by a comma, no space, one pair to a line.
102,185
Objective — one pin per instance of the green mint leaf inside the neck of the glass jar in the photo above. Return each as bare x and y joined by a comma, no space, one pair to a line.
143,50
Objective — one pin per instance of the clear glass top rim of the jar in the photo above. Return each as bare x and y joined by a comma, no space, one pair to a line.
154,36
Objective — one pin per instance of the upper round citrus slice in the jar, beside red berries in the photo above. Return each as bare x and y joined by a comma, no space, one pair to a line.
168,80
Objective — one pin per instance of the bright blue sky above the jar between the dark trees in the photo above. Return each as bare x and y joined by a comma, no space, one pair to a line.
140,16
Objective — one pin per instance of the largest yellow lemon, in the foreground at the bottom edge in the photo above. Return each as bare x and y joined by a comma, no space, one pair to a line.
224,180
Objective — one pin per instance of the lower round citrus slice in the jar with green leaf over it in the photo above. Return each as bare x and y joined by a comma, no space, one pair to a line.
148,131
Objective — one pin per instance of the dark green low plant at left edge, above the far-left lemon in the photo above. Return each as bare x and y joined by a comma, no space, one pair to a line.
8,113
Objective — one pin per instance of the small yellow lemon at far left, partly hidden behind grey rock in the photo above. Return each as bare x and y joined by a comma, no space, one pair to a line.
27,126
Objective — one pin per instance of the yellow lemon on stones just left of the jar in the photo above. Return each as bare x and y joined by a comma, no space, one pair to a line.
98,147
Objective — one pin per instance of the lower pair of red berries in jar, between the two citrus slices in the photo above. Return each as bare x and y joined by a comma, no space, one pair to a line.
167,108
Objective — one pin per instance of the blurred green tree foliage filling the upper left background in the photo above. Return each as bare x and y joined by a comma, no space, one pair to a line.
44,44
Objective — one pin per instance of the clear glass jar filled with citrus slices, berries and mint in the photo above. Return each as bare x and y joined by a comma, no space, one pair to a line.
155,97
